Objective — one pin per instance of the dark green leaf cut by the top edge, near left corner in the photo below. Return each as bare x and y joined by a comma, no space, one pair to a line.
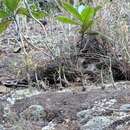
11,4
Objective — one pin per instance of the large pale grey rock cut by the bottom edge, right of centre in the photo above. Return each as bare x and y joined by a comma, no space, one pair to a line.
97,123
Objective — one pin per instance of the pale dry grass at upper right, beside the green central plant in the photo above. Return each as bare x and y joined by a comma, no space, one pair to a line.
113,21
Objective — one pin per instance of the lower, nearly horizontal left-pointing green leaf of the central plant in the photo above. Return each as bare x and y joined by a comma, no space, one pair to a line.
67,20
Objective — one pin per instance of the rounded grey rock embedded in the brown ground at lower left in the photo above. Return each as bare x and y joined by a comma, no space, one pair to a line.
34,112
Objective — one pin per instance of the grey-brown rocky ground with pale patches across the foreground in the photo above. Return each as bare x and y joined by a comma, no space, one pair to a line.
97,109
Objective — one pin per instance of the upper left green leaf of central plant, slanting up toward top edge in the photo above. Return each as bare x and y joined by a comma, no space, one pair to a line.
73,11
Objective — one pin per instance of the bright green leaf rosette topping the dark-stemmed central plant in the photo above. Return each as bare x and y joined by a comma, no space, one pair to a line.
85,19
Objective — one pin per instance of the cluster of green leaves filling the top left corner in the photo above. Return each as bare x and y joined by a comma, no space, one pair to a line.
11,8
